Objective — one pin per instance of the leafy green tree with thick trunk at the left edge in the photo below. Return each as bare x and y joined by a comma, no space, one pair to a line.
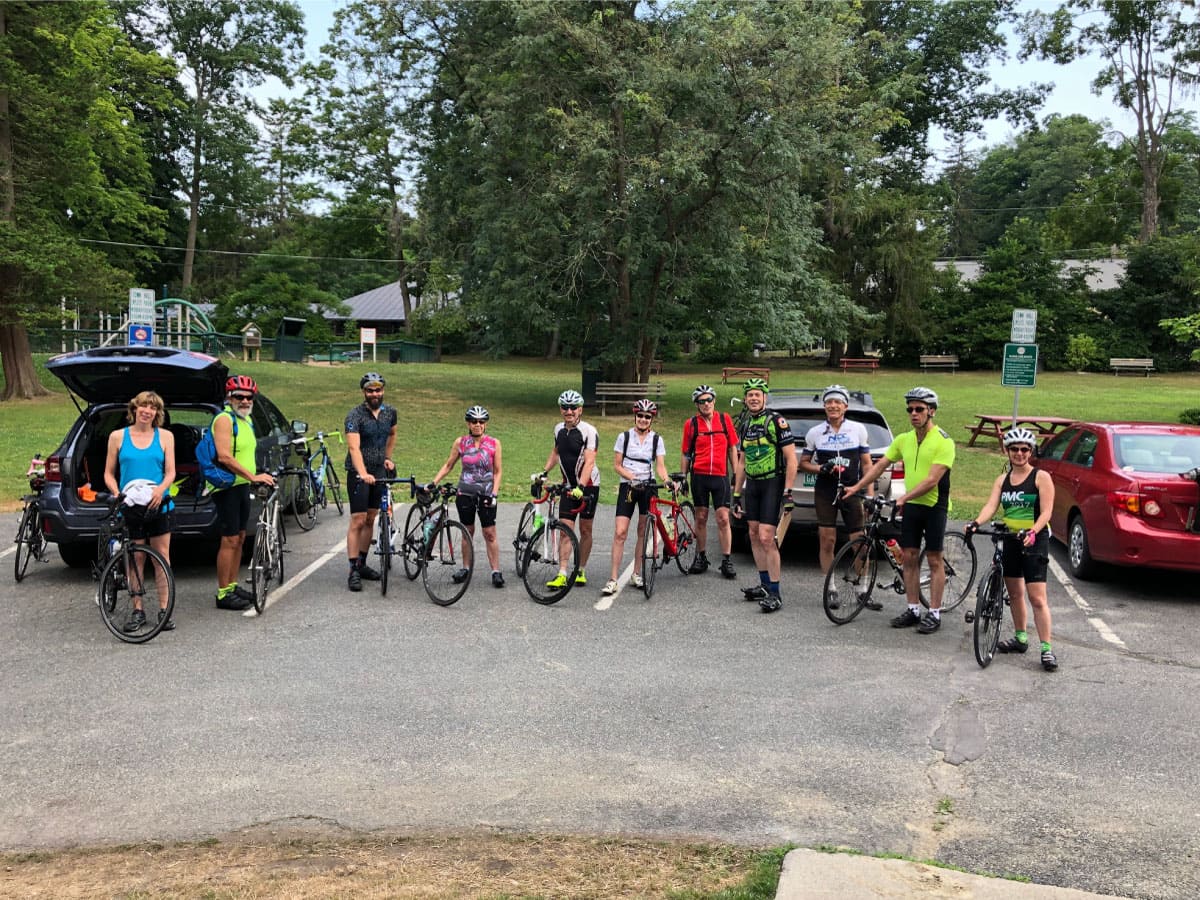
73,166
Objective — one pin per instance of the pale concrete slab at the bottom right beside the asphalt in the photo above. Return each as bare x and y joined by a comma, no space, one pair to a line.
812,875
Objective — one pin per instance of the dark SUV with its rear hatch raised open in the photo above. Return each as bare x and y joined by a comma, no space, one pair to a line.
106,380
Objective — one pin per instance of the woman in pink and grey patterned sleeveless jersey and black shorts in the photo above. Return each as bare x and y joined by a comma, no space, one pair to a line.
478,487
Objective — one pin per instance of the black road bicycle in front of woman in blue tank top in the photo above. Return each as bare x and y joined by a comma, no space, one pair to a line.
131,604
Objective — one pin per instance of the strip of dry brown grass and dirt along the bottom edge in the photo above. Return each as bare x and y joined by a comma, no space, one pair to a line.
319,861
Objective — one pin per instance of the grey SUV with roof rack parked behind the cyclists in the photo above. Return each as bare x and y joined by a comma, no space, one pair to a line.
803,410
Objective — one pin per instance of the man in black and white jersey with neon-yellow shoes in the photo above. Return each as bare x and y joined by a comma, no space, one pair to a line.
575,454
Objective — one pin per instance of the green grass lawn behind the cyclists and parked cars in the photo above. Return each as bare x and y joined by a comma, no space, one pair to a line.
521,395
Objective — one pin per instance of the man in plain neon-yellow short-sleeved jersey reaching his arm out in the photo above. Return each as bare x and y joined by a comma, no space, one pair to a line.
928,455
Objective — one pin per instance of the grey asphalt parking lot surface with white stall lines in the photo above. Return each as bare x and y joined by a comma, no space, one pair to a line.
687,716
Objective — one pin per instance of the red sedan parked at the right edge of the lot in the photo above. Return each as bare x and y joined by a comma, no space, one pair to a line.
1120,497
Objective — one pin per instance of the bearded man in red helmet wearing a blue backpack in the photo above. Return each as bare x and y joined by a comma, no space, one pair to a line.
238,455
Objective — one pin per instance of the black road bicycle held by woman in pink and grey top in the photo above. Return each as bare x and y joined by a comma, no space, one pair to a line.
437,547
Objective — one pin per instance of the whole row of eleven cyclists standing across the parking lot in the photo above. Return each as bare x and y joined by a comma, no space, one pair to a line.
745,470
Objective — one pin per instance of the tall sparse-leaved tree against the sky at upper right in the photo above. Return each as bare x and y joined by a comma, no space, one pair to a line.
1151,58
